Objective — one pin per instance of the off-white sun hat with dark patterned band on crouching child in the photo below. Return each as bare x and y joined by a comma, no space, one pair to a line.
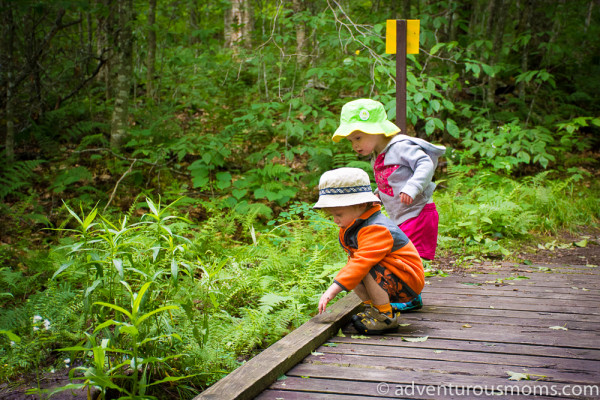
345,187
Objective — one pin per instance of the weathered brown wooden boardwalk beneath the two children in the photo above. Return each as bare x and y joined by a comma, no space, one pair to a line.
537,325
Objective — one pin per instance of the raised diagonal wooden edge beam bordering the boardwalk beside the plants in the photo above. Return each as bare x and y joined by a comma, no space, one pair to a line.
257,374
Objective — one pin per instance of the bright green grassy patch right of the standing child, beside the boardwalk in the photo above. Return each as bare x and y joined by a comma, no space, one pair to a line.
485,212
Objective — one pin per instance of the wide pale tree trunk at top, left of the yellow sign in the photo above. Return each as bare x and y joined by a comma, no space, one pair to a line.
238,25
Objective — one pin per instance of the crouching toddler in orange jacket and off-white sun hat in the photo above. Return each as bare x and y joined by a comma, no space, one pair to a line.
383,265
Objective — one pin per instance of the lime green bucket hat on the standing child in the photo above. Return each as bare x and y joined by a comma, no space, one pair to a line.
364,115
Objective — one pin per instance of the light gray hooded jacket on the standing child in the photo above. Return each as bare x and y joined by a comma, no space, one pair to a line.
417,160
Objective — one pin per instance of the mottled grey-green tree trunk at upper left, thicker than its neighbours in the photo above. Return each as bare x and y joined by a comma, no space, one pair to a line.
124,42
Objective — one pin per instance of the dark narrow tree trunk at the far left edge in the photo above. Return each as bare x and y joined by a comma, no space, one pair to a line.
6,58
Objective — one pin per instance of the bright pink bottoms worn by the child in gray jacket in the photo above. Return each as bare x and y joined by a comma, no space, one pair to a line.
422,231
